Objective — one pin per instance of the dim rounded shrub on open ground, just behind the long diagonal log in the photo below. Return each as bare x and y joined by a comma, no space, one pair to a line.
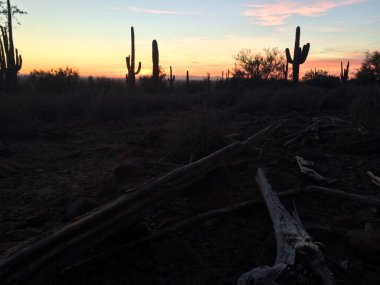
197,136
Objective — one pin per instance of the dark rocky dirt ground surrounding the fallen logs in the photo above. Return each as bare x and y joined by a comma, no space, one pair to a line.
67,169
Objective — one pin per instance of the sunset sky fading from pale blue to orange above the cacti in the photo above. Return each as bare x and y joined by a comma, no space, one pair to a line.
196,35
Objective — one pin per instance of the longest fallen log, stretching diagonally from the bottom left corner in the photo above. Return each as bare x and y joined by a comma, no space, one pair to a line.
41,258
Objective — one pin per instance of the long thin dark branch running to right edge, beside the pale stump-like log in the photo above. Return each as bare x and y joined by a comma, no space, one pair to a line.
369,201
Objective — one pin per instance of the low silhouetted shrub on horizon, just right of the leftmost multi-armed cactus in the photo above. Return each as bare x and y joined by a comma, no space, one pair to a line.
55,80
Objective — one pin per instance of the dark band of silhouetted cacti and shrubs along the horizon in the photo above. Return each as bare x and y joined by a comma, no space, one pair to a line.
258,82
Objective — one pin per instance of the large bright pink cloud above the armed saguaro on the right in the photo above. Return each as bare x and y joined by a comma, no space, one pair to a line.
273,14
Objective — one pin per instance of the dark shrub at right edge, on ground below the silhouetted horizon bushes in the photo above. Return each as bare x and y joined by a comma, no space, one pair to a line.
365,107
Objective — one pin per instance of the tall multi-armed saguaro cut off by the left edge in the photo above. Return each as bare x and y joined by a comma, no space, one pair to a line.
10,60
